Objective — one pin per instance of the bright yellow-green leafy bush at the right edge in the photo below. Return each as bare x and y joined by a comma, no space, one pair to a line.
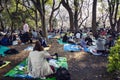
114,58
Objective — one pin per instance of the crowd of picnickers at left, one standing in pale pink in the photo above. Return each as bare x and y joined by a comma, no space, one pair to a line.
23,36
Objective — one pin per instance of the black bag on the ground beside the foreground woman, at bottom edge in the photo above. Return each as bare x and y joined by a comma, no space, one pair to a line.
62,74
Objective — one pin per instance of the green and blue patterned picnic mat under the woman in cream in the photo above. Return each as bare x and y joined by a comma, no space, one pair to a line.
19,70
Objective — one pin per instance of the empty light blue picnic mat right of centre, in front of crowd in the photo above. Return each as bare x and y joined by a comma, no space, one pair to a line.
71,47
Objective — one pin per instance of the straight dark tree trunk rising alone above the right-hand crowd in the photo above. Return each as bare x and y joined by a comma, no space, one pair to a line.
94,27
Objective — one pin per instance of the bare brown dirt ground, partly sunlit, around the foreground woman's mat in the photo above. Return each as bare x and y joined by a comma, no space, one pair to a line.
82,66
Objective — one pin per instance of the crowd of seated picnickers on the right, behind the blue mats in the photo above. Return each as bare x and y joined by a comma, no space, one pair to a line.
85,39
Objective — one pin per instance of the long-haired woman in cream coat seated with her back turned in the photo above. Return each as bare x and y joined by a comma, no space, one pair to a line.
38,67
